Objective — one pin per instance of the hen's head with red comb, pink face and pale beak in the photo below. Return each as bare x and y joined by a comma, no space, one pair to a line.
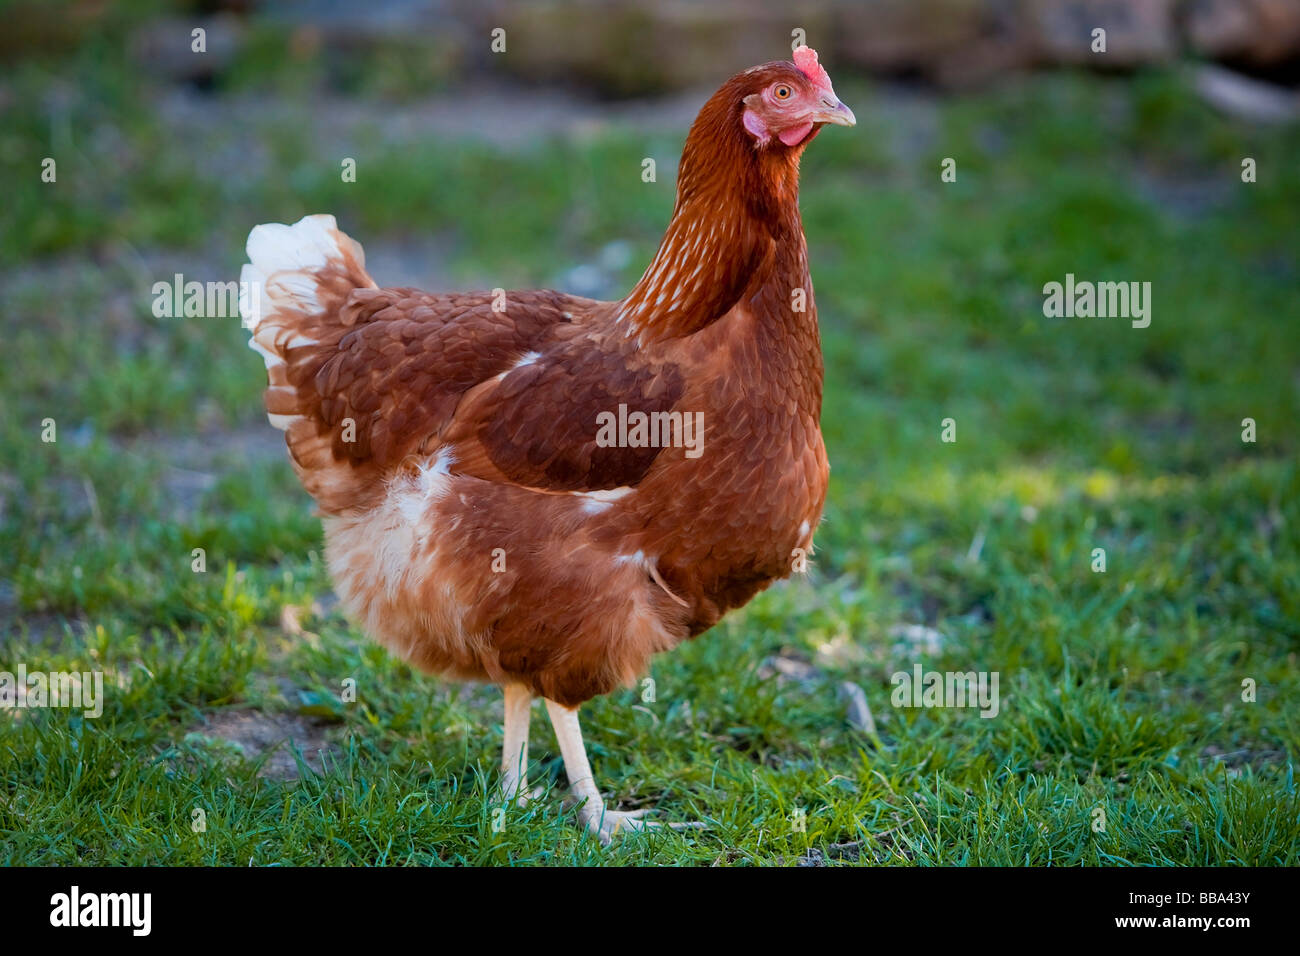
787,103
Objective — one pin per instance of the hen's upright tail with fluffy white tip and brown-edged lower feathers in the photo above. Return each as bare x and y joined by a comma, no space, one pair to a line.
291,297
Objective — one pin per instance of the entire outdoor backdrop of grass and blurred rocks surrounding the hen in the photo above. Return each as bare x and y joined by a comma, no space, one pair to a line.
525,168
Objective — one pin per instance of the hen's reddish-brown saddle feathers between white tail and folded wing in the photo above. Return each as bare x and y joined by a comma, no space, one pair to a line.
384,374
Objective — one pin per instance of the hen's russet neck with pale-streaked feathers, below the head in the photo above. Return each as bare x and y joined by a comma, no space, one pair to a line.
735,237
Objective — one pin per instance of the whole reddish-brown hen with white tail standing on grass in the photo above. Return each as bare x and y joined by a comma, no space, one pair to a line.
544,491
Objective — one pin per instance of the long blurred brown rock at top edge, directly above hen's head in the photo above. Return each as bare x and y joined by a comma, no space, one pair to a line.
627,49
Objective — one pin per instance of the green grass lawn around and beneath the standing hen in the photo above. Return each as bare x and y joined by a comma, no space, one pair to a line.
1121,691
